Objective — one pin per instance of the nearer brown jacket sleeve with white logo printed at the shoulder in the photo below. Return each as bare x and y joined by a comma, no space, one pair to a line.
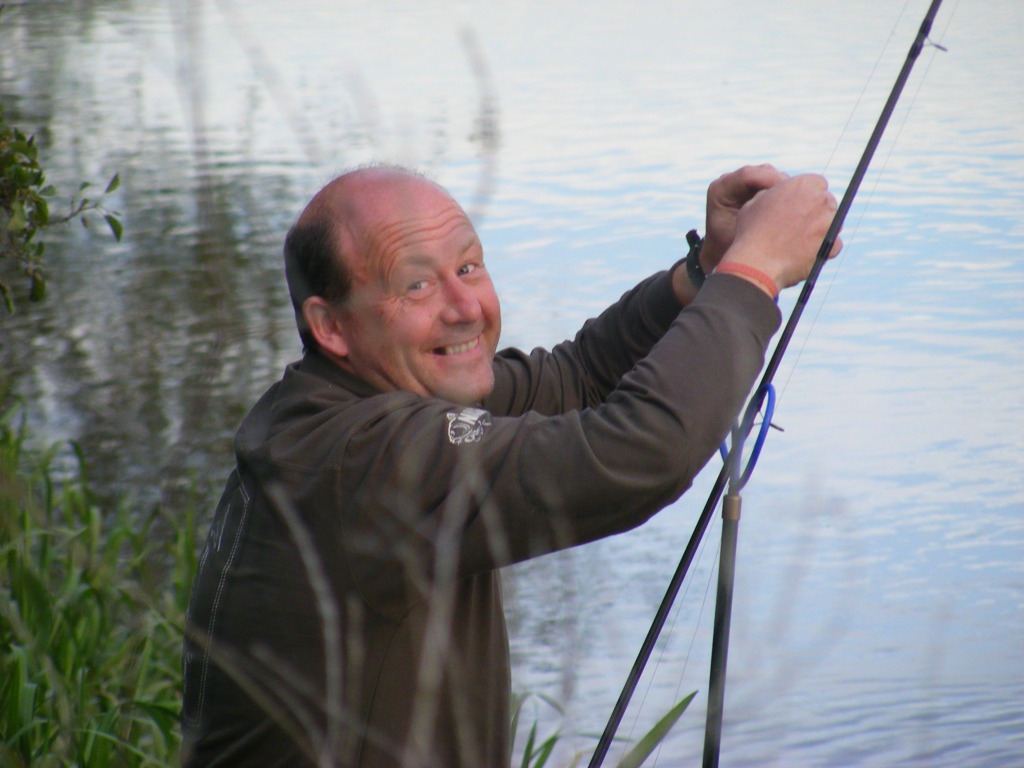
437,488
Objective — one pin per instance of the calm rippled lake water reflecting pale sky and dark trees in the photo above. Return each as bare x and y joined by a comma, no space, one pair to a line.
879,615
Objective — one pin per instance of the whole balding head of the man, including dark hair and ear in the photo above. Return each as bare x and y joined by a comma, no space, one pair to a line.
389,281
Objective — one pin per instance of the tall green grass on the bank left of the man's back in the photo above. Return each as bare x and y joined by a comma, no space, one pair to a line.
91,635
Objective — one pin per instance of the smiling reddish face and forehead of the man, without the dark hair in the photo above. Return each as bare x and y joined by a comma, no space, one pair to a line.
422,315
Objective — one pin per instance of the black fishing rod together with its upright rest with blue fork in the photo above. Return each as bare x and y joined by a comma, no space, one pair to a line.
735,477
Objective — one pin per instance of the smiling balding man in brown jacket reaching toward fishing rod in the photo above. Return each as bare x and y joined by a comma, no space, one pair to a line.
348,608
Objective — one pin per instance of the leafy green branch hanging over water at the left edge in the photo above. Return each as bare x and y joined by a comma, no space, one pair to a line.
25,209
